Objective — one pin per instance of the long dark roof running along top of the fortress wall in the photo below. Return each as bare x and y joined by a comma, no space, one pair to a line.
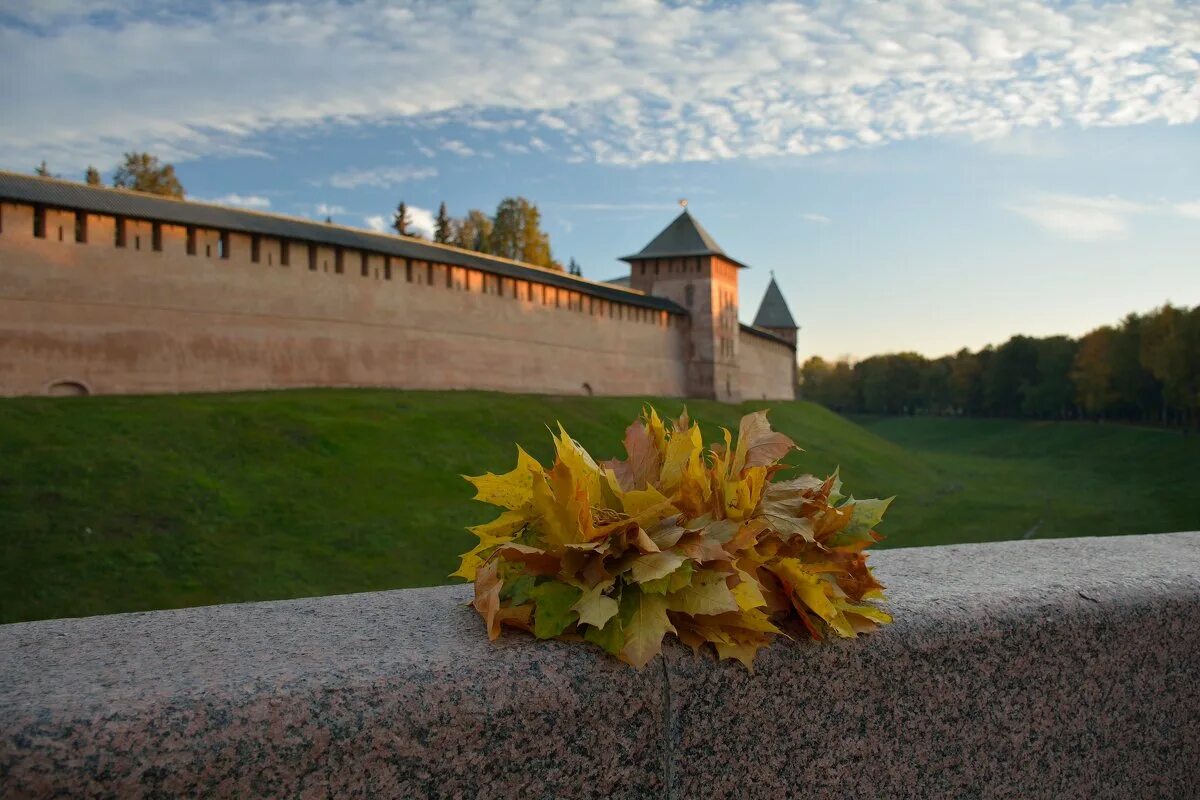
97,200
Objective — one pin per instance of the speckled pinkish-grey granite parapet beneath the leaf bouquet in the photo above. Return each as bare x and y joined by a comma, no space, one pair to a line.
1027,670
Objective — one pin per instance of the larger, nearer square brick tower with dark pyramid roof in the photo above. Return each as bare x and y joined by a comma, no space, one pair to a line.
686,264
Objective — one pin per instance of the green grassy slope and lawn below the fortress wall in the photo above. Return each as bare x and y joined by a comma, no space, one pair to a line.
121,504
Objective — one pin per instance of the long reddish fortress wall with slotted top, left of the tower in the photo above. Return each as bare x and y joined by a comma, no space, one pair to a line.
135,320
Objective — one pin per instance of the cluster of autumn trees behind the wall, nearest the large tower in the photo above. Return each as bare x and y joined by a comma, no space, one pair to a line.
513,232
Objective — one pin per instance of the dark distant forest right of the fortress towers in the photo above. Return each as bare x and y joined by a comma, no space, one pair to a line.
1144,370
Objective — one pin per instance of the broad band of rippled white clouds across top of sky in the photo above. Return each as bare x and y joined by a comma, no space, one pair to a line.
628,82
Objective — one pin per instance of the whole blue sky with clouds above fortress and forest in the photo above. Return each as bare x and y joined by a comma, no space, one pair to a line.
919,176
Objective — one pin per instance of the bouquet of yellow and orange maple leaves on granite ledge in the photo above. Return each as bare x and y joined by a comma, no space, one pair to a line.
674,540
